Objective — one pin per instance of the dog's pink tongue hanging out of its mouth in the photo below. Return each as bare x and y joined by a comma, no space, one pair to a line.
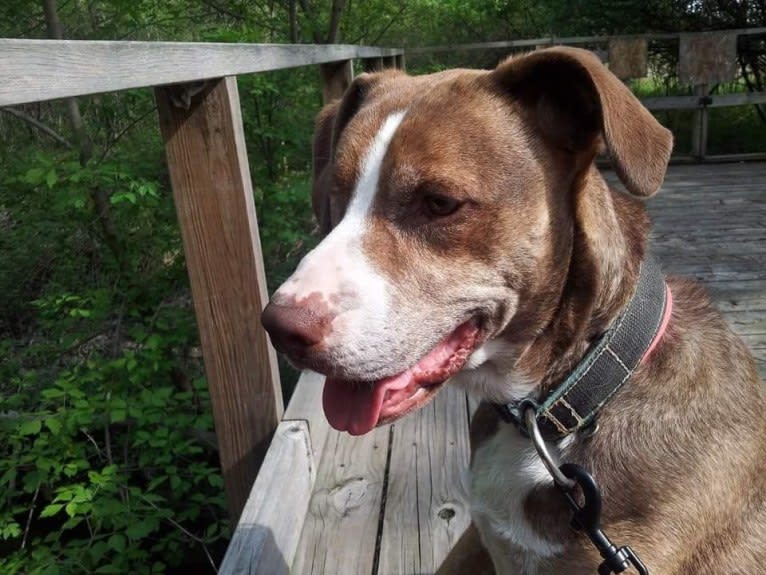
355,406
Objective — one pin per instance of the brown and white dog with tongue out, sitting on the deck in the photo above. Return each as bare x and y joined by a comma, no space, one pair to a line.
471,240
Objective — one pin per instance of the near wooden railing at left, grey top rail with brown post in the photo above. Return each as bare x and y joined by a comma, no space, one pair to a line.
201,124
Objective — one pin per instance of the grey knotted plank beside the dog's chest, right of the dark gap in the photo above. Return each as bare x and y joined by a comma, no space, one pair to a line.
427,506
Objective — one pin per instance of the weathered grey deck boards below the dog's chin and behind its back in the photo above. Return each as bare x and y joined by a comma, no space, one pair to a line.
394,501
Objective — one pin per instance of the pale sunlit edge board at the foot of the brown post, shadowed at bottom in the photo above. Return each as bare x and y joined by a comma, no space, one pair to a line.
268,532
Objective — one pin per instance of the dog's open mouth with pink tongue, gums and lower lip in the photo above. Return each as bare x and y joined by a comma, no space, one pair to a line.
359,406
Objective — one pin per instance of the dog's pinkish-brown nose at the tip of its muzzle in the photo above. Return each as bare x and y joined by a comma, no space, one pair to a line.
294,328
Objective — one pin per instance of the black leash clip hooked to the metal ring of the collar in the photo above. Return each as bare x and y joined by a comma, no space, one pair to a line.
588,520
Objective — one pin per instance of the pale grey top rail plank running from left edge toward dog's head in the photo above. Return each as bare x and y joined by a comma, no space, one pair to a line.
38,70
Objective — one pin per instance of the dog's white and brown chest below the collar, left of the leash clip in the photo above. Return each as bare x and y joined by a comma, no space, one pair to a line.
504,471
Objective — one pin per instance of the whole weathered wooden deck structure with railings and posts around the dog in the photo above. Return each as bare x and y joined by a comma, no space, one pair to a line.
393,501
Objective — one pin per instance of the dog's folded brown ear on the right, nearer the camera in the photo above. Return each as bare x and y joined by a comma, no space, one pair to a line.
574,99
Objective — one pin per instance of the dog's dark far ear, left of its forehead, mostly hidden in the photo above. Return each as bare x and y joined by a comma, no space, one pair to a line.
330,123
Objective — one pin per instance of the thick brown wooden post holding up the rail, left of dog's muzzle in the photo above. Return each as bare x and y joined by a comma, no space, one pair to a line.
207,161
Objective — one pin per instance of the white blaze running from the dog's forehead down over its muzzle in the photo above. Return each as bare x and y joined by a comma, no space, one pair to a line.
339,271
